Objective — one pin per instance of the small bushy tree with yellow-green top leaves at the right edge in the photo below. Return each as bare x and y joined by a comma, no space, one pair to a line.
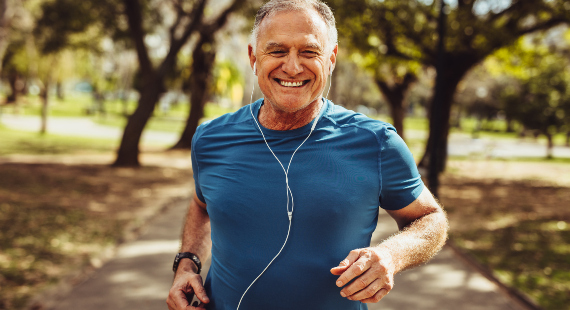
540,97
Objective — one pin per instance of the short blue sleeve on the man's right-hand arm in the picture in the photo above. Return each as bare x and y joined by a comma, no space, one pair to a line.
400,181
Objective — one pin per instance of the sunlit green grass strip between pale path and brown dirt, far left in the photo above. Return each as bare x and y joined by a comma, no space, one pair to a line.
19,142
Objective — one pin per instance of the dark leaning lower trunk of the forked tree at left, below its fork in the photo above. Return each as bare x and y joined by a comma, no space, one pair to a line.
128,154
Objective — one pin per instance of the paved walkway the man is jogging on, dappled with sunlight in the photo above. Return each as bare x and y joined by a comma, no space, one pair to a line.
139,277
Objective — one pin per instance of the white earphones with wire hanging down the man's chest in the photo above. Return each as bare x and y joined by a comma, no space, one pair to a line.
288,189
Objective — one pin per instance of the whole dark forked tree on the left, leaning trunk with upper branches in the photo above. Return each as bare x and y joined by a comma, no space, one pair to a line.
129,21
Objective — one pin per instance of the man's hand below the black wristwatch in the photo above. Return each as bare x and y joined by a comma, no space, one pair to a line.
186,284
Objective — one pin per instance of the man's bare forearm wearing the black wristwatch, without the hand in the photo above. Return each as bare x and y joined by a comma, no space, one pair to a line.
196,234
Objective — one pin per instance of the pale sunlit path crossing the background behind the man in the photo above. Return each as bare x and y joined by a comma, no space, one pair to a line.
460,144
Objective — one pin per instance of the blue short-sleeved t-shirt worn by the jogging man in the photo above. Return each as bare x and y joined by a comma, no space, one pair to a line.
348,167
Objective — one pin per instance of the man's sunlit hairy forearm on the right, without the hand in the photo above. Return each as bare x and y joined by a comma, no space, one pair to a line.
417,242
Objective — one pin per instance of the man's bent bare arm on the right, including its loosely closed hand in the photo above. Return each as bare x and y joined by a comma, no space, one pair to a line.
423,231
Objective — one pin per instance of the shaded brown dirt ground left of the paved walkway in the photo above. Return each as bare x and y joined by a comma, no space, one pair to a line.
58,221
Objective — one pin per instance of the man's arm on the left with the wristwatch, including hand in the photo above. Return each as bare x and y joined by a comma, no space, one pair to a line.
195,239
